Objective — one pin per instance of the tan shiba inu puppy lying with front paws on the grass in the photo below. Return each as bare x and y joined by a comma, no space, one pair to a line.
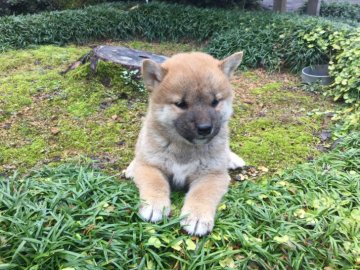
184,138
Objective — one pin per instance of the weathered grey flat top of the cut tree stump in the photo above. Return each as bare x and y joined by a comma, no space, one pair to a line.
130,58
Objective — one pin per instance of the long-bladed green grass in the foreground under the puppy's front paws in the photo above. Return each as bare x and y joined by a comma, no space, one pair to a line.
72,217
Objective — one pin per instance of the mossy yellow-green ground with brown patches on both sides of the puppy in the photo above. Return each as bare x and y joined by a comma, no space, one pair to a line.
47,117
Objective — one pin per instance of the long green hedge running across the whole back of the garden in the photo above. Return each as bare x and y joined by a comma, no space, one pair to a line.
272,41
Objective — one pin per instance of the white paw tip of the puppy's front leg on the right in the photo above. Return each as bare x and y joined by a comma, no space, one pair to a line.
196,225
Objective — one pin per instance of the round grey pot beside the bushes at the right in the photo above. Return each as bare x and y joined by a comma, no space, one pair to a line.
317,73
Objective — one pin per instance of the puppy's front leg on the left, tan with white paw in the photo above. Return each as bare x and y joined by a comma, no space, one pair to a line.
154,192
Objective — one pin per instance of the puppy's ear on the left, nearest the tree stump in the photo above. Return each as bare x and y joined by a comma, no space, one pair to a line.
152,74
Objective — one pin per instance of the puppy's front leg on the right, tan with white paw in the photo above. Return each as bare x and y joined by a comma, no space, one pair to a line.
201,203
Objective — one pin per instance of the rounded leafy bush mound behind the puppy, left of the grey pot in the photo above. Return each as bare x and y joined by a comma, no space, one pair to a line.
277,41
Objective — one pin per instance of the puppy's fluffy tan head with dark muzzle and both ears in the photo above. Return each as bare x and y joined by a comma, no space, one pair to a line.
190,94
